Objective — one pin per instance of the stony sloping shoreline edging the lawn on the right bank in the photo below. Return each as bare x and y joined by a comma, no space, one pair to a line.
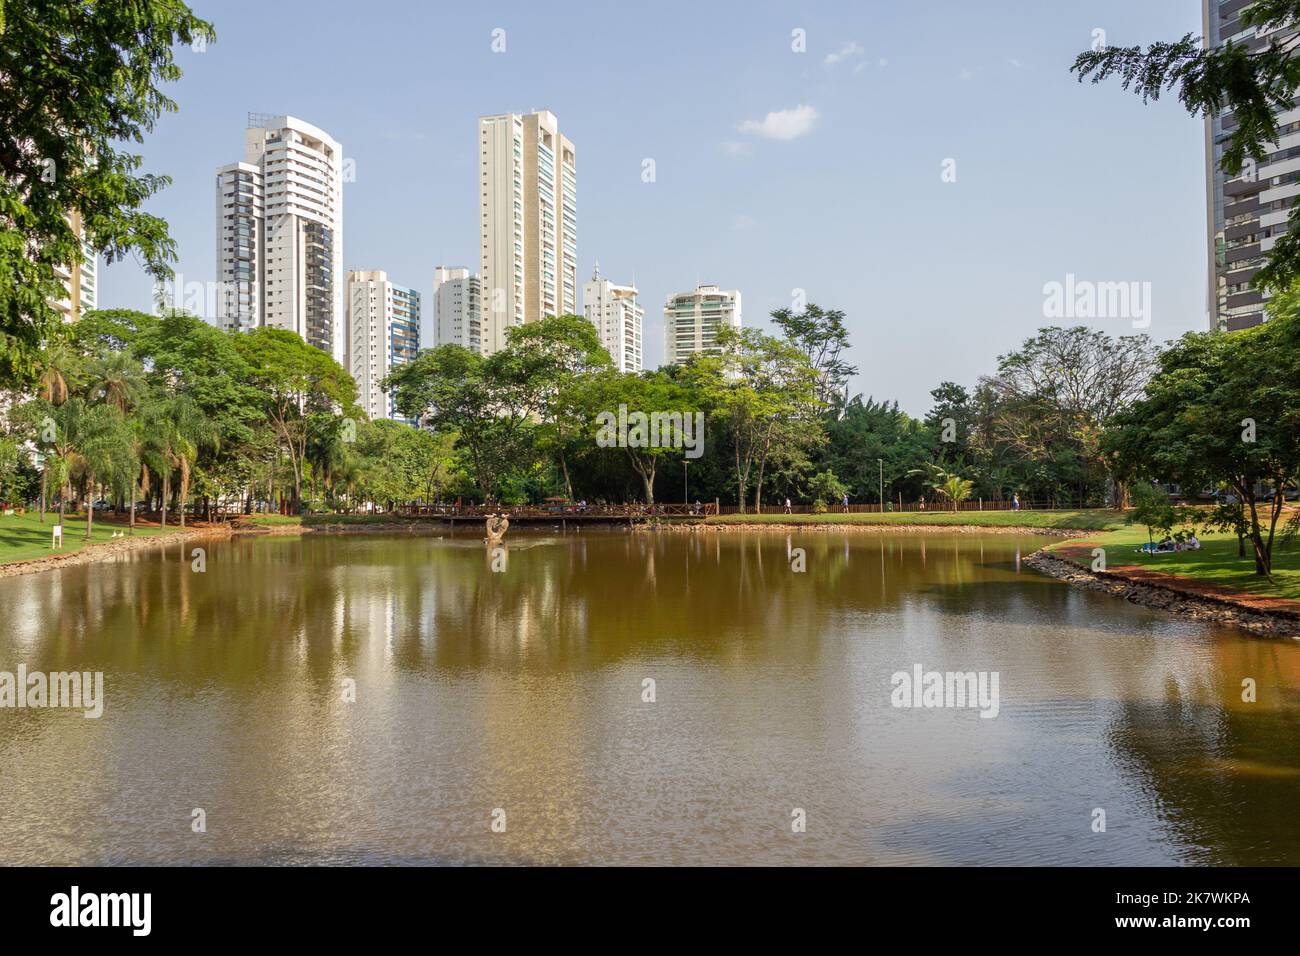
1172,599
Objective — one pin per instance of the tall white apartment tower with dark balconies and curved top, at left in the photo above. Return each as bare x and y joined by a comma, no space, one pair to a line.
280,233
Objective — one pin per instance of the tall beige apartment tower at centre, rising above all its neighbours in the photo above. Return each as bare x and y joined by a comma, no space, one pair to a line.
528,222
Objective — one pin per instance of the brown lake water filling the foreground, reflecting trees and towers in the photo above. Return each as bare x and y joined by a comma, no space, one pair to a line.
523,691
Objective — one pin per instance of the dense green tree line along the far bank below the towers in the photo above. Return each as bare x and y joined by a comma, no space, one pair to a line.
171,414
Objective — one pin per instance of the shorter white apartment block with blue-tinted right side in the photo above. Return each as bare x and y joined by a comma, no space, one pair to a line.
383,334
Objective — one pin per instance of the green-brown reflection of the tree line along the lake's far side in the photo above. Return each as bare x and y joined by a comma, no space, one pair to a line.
564,603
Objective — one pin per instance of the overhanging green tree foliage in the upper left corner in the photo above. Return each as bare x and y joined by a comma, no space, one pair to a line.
79,81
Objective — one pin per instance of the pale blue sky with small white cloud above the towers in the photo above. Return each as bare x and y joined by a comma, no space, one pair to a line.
937,278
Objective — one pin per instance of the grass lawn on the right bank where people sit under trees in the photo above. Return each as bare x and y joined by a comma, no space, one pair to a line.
1216,563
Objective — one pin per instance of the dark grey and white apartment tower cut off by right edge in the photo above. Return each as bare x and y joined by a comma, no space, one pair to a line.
1249,213
